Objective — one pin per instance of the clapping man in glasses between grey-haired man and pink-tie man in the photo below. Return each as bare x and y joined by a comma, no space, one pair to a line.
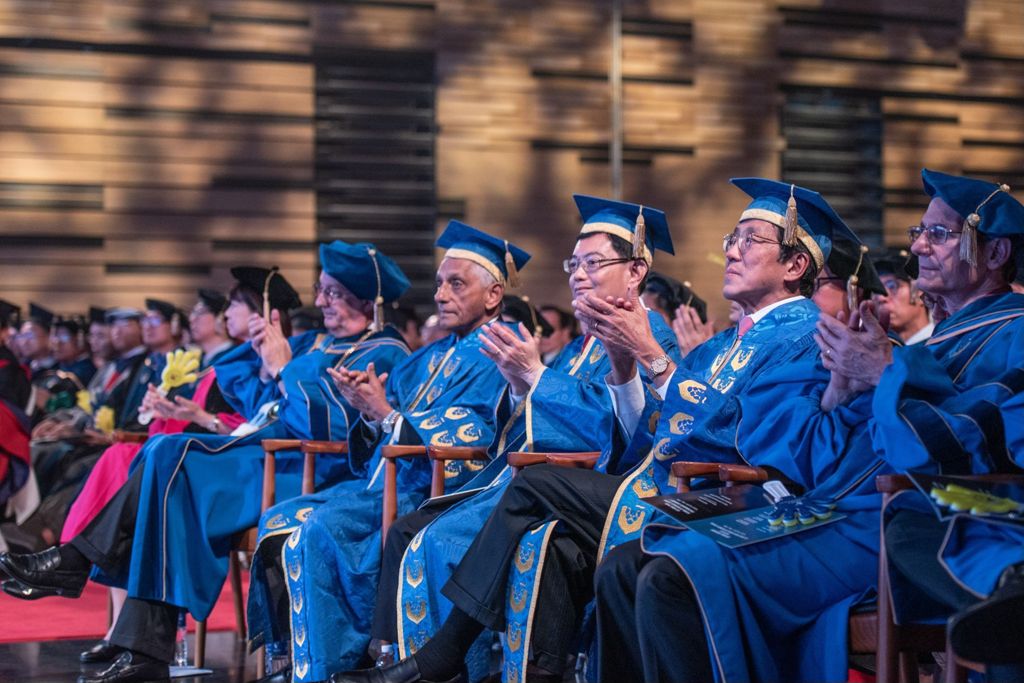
566,407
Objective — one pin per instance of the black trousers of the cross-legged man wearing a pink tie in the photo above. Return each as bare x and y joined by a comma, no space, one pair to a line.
580,500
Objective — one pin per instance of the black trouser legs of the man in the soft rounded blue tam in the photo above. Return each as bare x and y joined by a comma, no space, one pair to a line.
144,626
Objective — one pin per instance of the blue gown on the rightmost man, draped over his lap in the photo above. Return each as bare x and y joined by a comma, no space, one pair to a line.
779,611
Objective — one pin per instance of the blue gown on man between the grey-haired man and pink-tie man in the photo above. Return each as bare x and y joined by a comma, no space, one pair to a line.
569,409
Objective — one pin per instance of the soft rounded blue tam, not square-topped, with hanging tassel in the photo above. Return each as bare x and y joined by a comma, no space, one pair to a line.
364,270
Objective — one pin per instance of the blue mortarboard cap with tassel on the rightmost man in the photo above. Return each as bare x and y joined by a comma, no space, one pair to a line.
986,207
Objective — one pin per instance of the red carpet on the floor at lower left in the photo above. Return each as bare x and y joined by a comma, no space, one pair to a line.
53,619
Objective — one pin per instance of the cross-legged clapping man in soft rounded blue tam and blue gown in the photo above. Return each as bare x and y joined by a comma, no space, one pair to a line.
166,535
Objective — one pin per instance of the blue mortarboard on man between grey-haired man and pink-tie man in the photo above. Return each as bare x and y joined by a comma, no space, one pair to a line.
646,228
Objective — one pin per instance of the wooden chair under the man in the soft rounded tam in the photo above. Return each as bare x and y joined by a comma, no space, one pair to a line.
246,542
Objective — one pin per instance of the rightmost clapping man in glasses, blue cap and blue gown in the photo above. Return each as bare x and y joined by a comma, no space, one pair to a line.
779,610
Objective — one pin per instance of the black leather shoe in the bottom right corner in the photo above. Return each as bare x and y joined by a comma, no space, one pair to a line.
990,632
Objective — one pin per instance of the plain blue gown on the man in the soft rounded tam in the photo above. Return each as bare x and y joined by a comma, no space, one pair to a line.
200,491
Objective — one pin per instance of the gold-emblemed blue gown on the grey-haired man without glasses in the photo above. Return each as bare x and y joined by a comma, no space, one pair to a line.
446,394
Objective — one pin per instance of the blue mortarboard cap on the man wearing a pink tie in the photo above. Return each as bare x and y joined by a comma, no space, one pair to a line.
816,221
